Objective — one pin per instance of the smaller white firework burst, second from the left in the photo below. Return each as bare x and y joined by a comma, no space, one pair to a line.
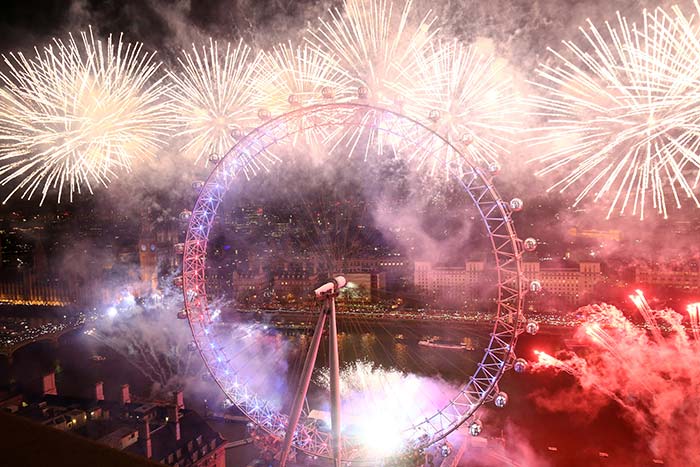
213,97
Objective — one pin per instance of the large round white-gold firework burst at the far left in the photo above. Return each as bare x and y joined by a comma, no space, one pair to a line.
77,113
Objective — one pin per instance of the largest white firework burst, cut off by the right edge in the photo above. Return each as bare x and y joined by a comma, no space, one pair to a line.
621,119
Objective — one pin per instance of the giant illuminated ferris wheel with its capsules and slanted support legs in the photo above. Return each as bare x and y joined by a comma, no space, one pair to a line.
255,153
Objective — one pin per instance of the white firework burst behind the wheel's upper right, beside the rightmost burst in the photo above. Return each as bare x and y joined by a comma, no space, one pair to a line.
466,97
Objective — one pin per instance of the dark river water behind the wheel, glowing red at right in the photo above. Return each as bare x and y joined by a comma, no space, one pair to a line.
548,438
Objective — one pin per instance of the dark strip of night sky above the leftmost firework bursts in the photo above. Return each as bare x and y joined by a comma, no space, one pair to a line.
160,24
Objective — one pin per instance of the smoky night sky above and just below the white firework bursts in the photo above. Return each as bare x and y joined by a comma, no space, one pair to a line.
520,31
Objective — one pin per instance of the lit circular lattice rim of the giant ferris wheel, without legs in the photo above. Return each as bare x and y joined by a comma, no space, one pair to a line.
495,214
